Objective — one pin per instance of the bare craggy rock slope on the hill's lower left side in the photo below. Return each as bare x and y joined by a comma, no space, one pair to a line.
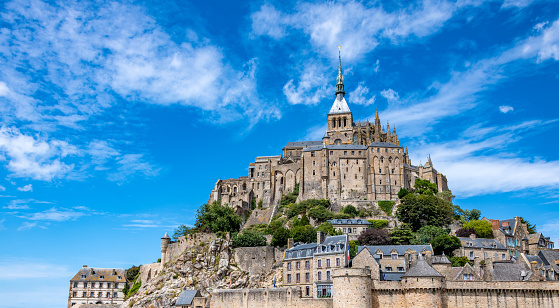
206,266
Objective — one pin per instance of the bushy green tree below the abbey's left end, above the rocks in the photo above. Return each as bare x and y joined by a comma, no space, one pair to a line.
217,218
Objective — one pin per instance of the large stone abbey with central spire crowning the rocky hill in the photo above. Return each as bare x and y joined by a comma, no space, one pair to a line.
354,163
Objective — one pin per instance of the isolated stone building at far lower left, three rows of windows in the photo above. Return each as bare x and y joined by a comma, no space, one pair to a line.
97,286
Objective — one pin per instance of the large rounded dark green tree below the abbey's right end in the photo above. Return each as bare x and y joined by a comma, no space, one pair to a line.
421,210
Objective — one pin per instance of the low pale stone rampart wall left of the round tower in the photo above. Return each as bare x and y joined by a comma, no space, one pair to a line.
269,298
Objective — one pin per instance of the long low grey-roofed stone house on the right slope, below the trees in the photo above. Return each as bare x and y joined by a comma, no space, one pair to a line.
482,248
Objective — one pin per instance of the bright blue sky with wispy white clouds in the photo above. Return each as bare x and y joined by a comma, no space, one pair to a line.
117,118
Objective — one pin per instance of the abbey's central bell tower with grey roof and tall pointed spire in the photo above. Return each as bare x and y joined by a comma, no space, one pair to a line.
340,118
